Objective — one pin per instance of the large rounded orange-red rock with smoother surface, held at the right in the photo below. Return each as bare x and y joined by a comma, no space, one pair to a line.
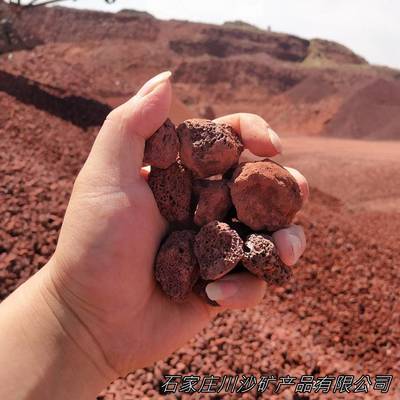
265,195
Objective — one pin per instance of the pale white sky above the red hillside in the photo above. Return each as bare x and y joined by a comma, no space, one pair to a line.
371,28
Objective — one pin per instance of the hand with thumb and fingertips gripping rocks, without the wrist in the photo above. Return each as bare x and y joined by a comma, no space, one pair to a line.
102,269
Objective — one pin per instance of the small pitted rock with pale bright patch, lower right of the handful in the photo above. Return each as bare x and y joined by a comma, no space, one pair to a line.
261,258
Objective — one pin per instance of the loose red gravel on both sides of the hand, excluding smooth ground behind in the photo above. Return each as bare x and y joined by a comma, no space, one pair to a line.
338,315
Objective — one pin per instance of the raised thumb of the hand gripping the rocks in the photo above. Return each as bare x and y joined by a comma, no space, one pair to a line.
117,153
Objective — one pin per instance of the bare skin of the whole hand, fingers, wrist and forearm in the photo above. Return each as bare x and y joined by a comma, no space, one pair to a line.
95,312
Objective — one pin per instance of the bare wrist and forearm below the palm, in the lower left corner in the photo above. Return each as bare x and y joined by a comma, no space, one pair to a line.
39,330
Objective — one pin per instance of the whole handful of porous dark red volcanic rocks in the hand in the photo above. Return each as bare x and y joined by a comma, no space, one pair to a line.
221,213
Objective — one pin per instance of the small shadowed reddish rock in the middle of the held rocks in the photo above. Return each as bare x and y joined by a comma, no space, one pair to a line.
214,201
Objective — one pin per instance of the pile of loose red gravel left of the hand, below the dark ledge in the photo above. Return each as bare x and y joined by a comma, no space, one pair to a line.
39,157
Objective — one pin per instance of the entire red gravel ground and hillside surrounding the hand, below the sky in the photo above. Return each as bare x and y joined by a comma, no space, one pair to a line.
341,312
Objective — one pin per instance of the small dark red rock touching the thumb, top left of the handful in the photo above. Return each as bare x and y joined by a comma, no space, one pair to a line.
162,147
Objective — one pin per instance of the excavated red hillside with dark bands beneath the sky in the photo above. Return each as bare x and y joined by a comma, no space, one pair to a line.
306,87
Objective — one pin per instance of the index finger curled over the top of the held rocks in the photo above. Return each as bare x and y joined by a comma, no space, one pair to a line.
256,134
